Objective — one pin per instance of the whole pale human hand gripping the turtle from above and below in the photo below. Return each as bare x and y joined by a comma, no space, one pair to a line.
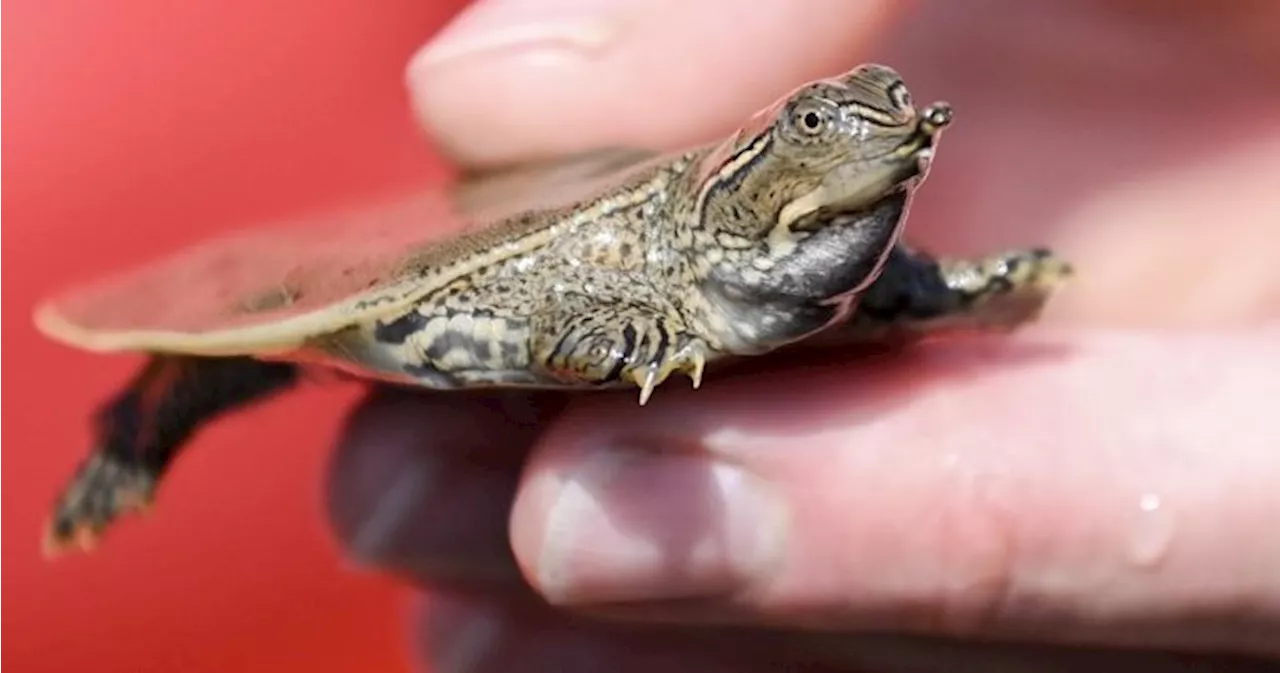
1109,479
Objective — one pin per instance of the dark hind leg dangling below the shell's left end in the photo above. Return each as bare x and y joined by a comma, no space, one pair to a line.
143,431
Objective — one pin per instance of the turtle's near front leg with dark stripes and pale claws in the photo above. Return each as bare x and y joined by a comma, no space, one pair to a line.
610,338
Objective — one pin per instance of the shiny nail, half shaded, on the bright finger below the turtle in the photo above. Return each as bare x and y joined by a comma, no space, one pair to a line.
642,527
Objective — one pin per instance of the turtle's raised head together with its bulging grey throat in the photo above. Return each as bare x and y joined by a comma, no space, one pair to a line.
806,202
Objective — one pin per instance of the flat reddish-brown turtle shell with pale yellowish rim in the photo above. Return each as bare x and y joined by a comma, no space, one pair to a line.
269,290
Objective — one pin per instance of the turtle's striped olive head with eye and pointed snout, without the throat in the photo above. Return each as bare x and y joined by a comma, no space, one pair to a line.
833,146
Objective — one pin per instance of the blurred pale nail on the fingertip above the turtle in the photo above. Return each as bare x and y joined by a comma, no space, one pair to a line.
573,26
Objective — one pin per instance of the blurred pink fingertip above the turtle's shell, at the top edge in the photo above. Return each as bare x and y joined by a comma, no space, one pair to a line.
515,80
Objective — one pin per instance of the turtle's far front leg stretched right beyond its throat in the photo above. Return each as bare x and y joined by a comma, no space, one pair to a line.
920,296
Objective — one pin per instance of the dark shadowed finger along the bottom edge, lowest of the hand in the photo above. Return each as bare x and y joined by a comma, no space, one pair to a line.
459,633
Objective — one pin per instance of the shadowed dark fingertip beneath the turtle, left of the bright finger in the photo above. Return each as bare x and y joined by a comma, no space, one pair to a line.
423,484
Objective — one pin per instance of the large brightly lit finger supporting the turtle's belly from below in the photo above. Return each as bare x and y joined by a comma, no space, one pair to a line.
1103,488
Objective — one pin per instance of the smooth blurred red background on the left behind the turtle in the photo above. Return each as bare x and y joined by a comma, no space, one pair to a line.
129,130
